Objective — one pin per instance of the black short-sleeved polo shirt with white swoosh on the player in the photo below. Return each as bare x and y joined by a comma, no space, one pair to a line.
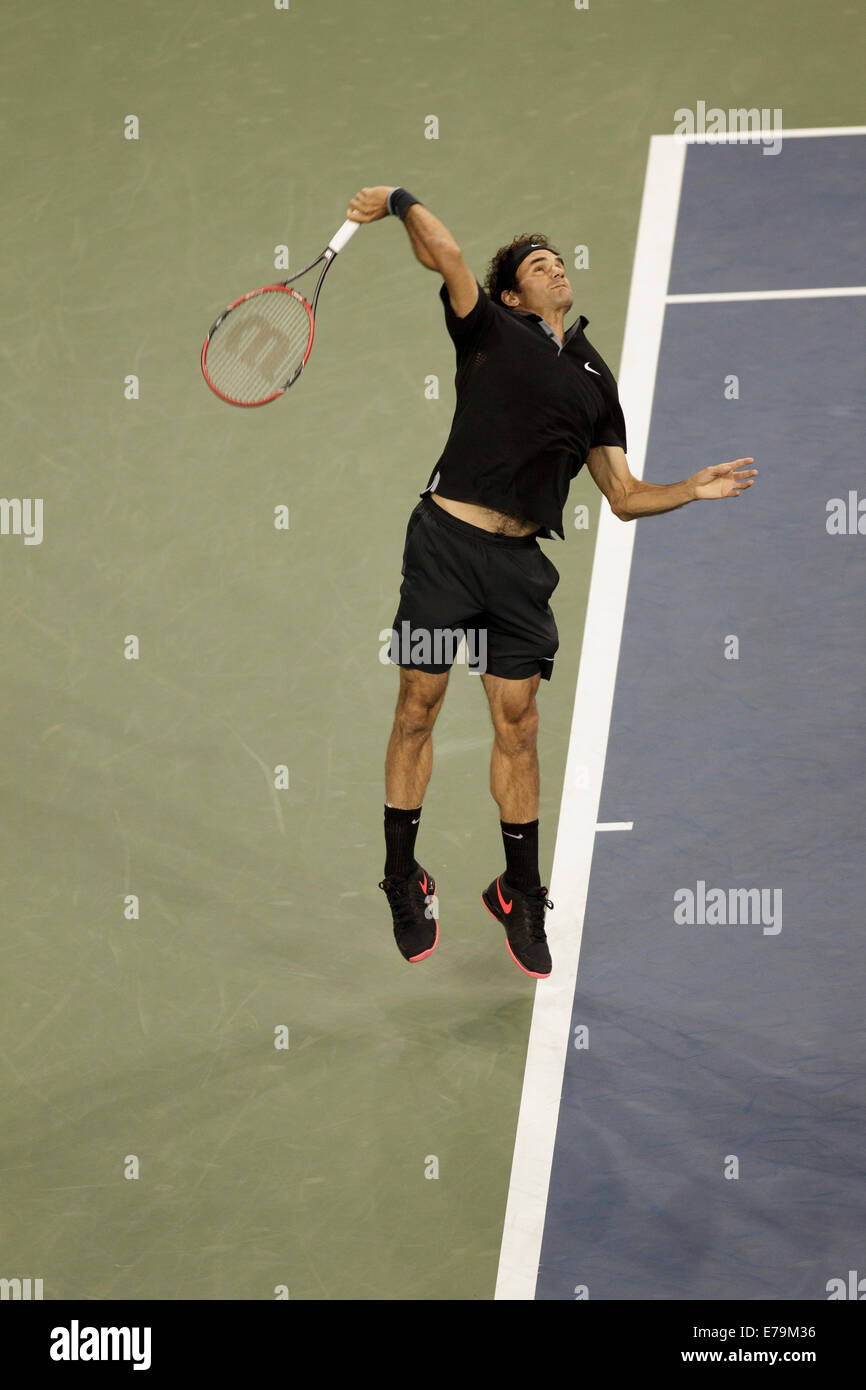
528,414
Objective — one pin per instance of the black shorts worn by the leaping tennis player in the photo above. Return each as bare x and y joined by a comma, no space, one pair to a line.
464,582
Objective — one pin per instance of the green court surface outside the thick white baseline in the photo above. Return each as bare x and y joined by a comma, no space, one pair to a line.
308,1167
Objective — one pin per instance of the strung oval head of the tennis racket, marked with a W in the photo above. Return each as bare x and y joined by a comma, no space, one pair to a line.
259,347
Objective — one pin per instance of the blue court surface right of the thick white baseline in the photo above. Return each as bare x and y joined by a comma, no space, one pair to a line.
711,1135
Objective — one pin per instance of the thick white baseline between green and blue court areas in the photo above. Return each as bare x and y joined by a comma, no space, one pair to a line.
539,1117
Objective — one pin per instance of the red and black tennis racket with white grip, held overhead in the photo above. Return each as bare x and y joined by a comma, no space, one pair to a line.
259,347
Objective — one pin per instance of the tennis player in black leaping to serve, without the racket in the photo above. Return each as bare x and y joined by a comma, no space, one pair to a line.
534,404
